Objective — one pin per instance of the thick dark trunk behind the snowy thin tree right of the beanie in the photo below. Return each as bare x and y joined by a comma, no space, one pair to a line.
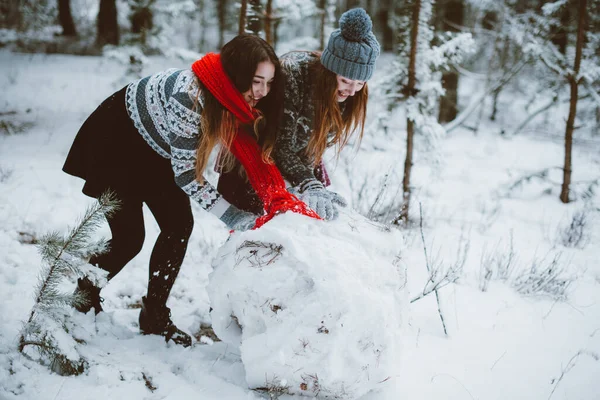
452,13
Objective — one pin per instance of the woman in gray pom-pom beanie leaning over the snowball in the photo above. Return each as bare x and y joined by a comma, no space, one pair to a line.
325,102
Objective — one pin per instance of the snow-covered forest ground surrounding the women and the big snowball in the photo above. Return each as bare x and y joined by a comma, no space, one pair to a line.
516,335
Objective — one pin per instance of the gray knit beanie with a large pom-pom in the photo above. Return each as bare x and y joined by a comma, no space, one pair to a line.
352,49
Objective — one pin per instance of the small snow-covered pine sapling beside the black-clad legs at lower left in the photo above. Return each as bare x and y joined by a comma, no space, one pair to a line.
49,331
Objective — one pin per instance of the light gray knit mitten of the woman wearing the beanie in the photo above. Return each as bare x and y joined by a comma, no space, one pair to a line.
321,200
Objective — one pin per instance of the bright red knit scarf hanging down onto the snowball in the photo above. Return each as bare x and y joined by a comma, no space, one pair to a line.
265,178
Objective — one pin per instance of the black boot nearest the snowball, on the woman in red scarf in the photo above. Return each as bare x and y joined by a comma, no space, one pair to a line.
156,320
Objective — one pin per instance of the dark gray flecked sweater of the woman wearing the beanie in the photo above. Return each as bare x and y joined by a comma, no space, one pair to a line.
298,119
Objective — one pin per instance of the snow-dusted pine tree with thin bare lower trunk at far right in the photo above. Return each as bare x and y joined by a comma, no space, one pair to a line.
579,68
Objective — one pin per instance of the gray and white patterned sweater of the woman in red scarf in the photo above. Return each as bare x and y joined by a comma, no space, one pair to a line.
162,109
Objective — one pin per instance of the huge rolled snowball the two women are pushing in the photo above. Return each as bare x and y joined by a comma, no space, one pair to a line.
316,307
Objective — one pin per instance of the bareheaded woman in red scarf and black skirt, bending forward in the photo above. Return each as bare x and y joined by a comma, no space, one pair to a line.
150,143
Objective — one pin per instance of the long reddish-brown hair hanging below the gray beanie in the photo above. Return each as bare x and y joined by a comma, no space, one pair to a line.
328,114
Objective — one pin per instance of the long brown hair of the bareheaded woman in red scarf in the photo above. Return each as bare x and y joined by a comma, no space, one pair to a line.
240,58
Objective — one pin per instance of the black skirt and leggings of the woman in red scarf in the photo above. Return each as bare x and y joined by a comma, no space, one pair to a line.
110,154
